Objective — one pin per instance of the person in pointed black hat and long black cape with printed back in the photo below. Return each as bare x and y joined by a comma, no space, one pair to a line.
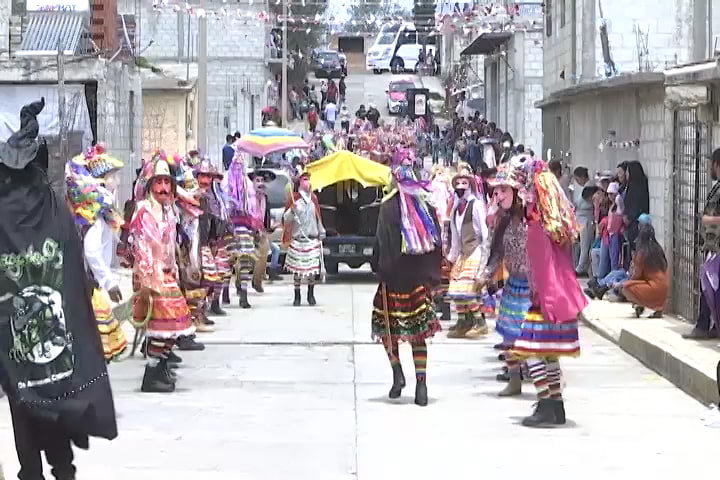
51,359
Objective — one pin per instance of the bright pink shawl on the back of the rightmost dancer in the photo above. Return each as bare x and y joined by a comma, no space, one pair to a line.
552,277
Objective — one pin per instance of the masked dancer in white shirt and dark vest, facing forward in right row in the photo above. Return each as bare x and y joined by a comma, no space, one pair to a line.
468,254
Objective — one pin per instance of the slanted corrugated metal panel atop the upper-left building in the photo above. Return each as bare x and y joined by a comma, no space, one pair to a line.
46,29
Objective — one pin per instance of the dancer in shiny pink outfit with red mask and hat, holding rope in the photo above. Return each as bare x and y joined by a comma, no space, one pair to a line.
155,276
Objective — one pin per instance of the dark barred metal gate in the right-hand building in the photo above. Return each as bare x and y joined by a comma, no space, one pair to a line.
691,178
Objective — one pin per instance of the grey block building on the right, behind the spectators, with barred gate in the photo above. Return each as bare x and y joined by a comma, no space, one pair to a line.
632,83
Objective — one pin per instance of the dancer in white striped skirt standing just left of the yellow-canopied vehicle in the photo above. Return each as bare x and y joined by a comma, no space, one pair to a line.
303,234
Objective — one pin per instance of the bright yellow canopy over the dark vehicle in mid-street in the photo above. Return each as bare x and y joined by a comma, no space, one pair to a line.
344,165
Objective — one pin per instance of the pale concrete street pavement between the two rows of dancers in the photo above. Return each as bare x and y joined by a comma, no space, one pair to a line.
284,392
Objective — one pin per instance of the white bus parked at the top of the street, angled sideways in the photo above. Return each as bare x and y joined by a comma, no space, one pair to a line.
396,49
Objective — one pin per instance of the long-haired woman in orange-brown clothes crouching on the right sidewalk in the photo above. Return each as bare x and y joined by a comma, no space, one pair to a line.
648,285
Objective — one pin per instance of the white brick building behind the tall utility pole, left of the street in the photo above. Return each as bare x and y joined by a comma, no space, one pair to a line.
237,66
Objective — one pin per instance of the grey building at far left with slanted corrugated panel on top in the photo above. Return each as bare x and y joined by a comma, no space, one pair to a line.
102,88
